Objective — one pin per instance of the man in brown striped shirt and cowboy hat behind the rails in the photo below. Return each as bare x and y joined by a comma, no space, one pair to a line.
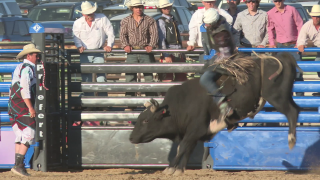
138,31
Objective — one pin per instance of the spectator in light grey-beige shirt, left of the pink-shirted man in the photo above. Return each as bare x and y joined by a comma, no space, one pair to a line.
253,24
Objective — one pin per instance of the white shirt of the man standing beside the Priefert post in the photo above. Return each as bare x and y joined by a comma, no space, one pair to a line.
27,79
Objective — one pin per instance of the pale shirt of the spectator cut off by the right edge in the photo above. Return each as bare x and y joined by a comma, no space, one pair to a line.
309,31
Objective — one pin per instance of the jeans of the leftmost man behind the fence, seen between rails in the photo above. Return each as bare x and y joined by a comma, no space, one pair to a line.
101,77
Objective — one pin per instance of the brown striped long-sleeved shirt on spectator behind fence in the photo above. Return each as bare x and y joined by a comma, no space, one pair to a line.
142,33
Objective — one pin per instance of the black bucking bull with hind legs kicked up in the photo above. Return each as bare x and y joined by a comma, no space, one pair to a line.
186,111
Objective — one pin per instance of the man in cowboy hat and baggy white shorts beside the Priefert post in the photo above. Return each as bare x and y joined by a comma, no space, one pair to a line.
21,105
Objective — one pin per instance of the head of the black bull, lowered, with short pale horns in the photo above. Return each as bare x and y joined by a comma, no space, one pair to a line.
149,123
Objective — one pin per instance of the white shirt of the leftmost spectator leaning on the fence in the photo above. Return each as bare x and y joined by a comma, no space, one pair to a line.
93,37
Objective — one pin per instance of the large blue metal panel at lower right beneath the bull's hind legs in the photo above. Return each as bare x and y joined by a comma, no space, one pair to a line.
265,149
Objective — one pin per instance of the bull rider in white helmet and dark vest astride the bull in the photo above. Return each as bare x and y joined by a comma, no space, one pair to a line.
220,39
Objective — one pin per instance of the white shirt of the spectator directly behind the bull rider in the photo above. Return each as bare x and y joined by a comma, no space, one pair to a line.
197,20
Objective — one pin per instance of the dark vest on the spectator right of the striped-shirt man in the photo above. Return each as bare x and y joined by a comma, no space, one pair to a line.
172,32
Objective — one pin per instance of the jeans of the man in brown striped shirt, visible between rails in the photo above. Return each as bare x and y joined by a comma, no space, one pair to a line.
132,77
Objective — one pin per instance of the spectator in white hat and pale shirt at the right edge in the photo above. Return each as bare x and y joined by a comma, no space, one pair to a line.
310,30
